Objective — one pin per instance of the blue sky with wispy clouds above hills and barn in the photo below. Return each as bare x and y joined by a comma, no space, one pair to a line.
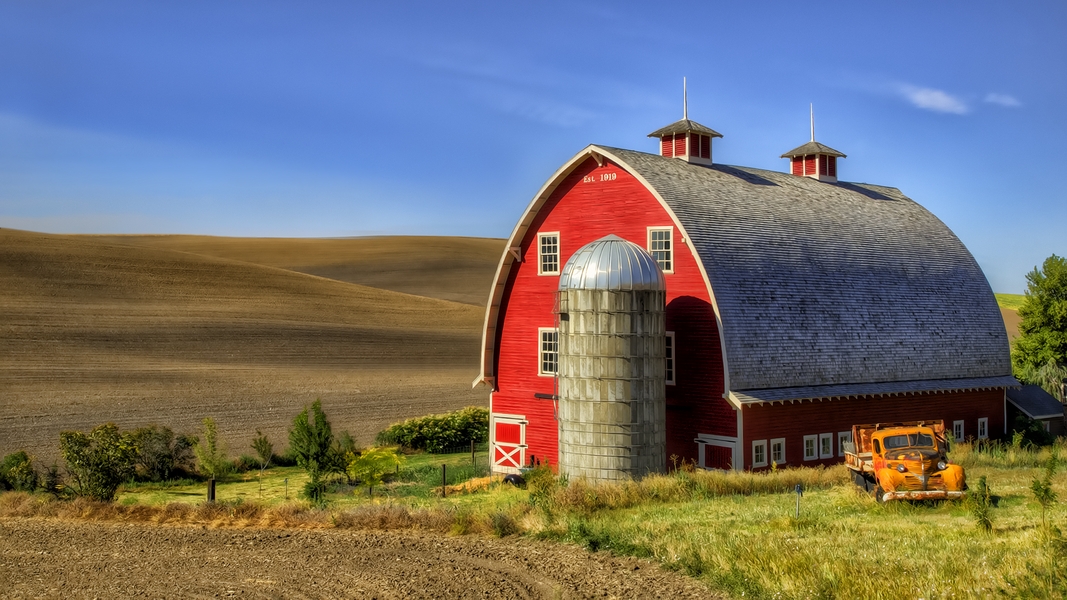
286,119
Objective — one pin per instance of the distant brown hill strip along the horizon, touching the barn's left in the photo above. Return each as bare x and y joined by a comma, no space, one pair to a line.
452,269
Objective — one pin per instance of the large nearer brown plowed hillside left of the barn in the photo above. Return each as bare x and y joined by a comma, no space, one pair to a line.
95,331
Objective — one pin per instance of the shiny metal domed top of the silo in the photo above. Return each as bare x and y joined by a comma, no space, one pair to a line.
614,264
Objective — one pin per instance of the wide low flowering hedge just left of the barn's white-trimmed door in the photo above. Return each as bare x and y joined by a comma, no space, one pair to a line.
436,433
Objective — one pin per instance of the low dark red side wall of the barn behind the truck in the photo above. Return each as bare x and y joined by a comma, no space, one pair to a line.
795,421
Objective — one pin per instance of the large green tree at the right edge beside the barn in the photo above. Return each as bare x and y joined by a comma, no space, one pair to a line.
1040,354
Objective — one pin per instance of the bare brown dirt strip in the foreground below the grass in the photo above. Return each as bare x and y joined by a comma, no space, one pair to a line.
44,559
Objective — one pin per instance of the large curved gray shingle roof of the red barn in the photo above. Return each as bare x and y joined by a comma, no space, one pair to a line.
830,283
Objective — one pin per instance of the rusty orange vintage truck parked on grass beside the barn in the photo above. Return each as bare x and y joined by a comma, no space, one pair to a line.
904,462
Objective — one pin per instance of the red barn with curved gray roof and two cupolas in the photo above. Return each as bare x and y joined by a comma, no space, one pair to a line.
797,306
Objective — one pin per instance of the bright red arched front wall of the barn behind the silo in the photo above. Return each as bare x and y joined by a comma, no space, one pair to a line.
591,203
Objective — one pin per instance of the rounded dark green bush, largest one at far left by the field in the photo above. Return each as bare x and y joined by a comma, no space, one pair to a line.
99,462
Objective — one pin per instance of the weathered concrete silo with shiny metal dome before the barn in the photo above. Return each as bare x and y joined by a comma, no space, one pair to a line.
612,336
